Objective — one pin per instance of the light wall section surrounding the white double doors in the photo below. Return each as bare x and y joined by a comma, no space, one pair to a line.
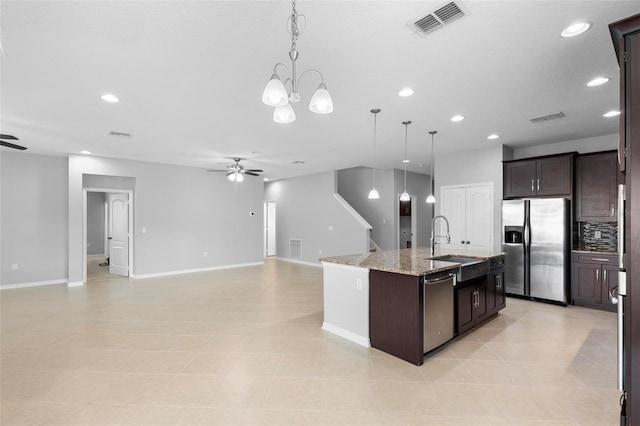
476,166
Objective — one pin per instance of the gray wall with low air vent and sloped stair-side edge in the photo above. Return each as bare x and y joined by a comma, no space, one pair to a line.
306,209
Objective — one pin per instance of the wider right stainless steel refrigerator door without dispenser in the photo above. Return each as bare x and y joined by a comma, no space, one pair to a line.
549,253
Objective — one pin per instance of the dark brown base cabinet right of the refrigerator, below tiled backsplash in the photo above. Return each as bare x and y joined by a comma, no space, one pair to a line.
593,277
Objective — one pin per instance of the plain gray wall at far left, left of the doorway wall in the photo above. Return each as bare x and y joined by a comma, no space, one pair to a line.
33,218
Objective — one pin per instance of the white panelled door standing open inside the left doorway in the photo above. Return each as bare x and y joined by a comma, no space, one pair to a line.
118,206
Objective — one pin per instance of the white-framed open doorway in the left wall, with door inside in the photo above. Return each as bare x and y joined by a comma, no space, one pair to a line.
106,227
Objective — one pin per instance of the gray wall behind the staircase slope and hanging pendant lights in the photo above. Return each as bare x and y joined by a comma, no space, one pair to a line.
354,185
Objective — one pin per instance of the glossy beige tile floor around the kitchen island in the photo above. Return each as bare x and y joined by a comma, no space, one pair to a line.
244,347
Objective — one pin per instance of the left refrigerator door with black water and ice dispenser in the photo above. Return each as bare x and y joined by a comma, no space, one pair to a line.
513,218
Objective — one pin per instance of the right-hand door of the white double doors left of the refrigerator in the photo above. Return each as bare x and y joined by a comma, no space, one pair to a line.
478,219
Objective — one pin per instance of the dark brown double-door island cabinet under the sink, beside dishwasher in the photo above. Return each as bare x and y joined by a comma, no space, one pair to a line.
471,305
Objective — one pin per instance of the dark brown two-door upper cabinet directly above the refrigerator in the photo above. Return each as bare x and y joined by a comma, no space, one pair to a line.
544,176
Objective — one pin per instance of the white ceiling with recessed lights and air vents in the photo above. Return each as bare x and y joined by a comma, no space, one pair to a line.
190,75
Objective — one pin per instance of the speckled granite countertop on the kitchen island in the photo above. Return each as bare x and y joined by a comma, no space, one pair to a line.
413,261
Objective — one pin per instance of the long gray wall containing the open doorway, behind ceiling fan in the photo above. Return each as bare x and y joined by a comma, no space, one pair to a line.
185,211
